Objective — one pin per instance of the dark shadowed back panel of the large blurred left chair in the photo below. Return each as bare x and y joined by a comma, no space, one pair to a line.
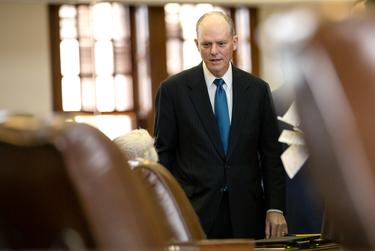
39,207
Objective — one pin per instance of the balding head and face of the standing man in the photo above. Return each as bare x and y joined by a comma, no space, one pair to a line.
216,44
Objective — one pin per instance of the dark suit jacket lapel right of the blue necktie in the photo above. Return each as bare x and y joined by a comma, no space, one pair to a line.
240,98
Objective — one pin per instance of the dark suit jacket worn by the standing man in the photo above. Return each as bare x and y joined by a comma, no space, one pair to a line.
188,144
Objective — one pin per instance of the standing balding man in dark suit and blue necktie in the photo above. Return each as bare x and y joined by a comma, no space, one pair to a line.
234,180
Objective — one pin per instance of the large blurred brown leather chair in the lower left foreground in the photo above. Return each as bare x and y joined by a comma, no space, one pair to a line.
67,186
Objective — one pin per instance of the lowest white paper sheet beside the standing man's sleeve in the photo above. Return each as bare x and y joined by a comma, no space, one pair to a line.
293,158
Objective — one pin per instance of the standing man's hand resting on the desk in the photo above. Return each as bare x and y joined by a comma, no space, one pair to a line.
275,225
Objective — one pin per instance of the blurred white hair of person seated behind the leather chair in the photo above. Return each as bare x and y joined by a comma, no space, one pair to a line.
137,144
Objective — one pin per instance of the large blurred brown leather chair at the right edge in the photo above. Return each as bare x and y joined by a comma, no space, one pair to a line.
336,100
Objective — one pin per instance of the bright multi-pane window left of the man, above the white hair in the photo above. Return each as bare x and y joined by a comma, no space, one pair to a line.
94,74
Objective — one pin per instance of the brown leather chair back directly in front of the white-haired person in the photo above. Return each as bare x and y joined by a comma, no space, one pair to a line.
180,214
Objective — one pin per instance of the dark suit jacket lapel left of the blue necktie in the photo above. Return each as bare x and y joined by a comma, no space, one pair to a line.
201,102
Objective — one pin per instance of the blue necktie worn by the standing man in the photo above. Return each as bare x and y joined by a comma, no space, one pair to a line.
221,113
